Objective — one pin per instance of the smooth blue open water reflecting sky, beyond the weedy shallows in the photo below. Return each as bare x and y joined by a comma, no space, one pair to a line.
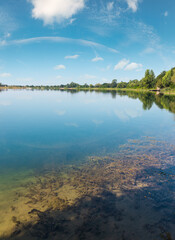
46,126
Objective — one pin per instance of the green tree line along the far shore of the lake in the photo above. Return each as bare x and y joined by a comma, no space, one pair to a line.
164,80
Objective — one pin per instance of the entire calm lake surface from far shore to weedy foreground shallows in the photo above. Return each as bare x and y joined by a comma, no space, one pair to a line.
87,165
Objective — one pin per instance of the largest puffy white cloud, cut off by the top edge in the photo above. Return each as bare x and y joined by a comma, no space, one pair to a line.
51,11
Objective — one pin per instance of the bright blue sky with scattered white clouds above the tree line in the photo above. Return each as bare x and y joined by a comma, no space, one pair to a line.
50,42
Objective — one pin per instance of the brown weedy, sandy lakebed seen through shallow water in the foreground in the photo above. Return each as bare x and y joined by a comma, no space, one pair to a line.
128,195
